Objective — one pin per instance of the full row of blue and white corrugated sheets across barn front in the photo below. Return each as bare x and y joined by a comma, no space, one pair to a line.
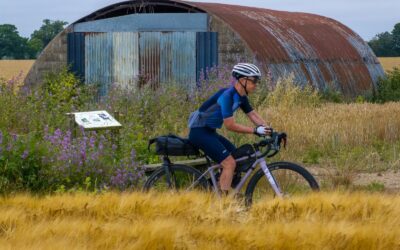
165,57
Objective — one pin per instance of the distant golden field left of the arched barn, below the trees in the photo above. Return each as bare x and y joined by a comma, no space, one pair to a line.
12,68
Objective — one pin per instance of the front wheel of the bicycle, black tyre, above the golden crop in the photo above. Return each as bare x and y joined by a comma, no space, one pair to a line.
291,178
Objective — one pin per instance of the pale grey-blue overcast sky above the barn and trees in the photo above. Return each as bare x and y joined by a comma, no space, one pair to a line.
365,17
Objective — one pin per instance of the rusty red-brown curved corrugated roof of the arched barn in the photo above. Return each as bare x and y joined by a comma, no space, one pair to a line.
303,44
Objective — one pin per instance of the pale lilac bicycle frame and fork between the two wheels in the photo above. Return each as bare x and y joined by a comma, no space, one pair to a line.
270,178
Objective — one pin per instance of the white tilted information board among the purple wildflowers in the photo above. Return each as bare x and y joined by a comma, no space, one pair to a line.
96,120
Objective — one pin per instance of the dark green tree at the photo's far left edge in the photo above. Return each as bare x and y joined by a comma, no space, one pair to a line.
12,45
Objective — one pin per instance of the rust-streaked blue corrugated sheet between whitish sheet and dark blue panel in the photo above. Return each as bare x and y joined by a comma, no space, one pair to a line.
168,57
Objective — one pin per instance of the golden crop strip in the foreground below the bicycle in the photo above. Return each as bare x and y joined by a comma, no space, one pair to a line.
199,221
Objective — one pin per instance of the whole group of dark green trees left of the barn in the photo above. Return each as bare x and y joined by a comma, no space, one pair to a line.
13,46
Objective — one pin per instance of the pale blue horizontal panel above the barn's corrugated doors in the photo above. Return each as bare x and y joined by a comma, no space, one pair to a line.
147,22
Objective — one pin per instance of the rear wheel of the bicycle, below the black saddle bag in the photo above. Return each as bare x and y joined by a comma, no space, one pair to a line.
181,177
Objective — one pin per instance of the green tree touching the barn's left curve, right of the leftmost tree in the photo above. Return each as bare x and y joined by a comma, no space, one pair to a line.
40,38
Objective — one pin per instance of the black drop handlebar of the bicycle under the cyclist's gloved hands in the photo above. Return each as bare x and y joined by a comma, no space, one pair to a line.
272,142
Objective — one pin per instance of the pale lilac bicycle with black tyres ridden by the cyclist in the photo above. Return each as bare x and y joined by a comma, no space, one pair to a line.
282,178
